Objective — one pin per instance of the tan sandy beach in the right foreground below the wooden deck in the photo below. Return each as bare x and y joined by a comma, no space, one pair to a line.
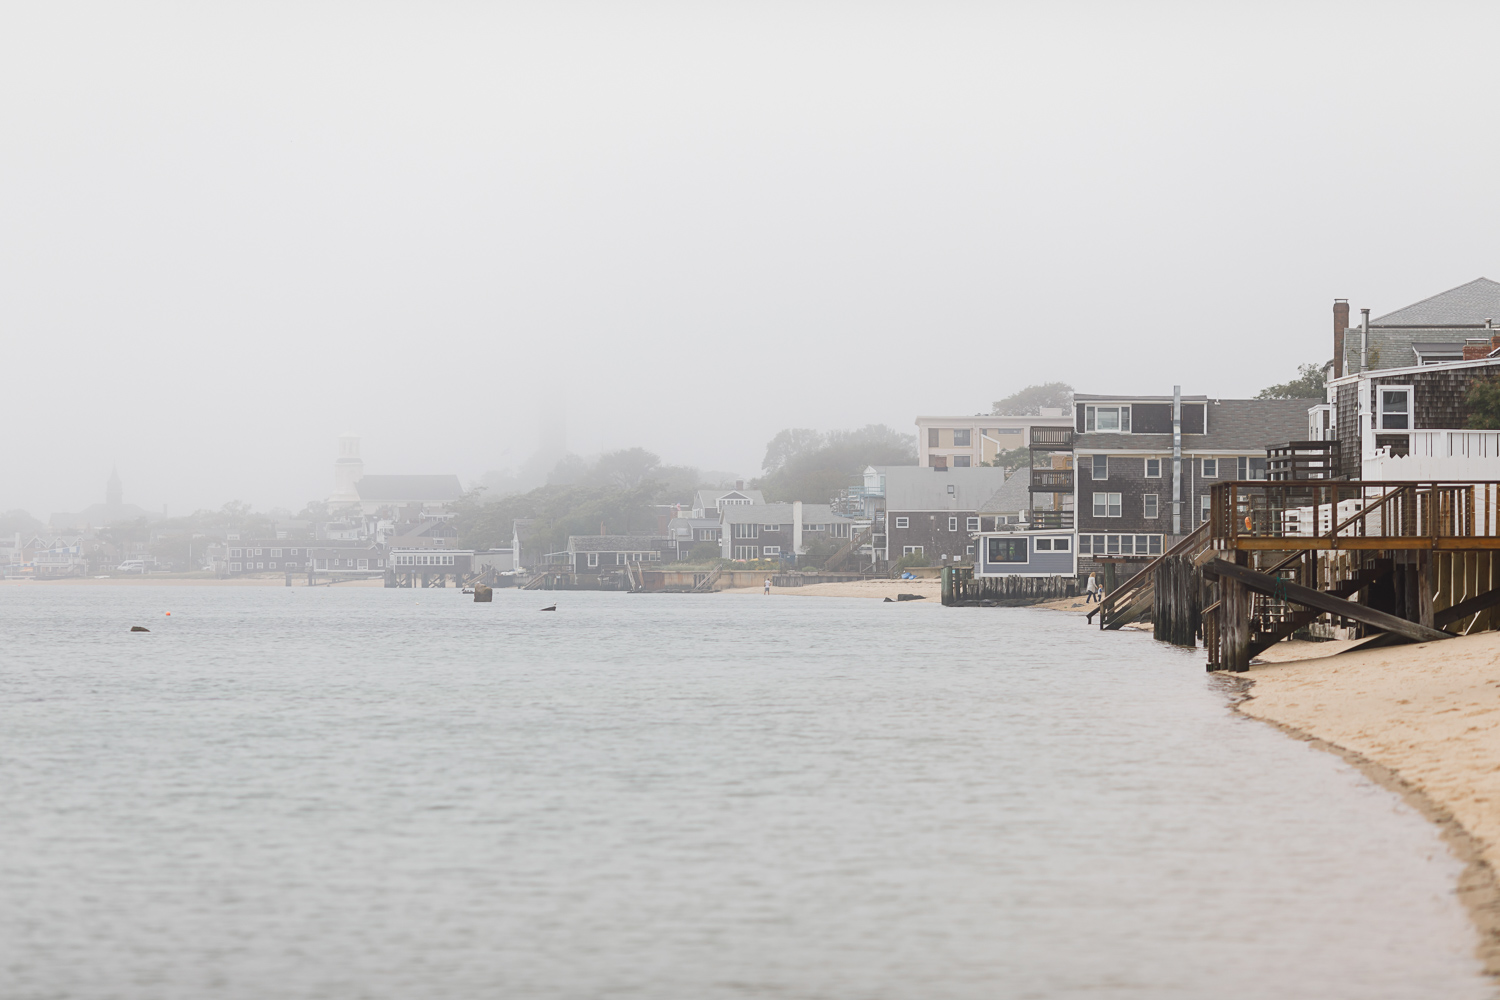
1369,710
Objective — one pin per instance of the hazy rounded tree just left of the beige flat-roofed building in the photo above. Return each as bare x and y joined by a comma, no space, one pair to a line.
812,467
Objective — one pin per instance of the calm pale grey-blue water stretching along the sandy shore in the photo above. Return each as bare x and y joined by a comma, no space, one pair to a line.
401,794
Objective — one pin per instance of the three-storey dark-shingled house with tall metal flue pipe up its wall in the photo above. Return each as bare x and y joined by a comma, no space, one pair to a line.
1124,470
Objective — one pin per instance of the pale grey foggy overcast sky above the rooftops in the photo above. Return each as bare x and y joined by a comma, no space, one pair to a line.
230,233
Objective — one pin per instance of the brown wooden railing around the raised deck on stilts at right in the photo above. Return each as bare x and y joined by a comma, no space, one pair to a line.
1334,515
